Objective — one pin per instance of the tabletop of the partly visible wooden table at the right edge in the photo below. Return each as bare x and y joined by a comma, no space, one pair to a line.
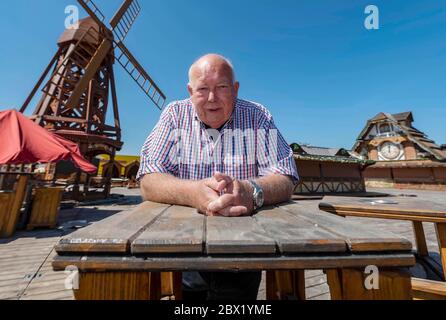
403,208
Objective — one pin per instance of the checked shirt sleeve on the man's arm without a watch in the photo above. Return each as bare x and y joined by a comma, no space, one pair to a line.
158,154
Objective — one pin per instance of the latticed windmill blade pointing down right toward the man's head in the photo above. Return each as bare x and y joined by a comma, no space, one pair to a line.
137,72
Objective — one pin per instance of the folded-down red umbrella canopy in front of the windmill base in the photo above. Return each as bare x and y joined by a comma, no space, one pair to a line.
22,141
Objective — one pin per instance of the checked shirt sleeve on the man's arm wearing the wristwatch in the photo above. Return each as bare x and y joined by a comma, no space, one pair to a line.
275,156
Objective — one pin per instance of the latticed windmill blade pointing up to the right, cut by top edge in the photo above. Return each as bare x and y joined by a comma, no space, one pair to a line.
124,19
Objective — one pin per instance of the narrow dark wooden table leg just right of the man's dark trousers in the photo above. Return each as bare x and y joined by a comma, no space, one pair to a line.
285,285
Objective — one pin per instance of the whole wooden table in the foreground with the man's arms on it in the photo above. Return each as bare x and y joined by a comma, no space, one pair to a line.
129,255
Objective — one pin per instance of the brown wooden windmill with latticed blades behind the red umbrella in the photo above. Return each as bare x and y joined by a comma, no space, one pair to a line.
81,86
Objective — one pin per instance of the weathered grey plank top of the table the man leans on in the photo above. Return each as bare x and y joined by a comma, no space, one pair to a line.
169,238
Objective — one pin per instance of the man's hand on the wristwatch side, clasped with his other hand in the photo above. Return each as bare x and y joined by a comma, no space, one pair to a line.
237,200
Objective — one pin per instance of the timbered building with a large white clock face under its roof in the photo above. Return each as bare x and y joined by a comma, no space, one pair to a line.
405,156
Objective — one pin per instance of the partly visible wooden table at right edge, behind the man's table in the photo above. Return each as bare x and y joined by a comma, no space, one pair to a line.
398,208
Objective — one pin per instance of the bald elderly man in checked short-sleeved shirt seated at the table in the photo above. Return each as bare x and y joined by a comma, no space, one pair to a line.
221,155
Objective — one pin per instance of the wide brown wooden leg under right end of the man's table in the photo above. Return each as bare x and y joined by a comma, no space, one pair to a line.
349,284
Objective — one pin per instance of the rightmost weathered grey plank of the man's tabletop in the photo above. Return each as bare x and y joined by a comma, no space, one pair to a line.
358,237
